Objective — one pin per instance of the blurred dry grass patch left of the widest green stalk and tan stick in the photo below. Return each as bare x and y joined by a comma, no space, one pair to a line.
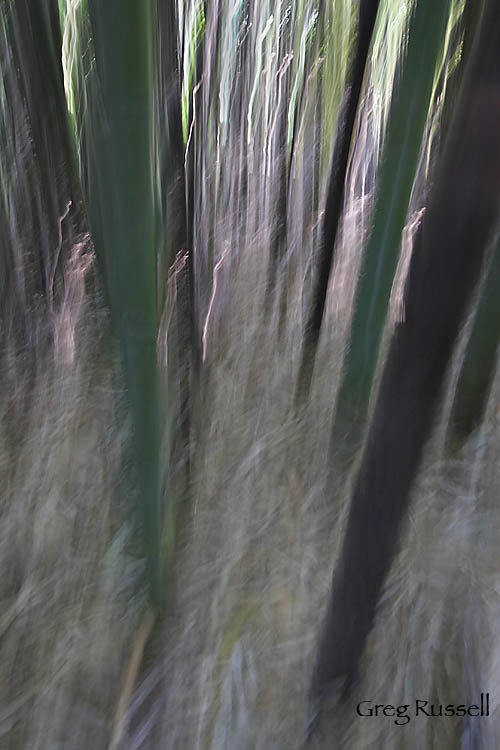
69,594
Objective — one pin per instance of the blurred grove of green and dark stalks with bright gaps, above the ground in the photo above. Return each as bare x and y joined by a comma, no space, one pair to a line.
189,138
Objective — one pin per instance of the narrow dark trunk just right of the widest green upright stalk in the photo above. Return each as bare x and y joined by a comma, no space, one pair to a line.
177,210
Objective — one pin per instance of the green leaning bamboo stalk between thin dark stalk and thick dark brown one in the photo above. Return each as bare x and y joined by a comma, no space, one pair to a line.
408,115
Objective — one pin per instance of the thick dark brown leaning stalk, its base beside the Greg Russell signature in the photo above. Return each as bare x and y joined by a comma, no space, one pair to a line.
443,274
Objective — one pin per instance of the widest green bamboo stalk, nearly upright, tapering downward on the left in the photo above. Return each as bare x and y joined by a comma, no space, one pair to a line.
122,213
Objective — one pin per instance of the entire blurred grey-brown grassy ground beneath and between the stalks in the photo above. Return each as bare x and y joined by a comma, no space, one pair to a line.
230,667
